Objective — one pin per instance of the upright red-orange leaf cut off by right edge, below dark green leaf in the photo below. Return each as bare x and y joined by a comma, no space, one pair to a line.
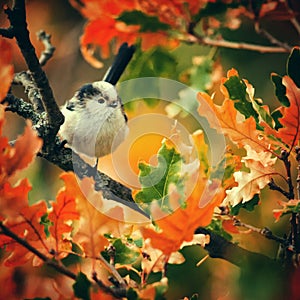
290,133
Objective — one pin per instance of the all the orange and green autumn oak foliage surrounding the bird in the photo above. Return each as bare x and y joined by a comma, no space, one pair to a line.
80,245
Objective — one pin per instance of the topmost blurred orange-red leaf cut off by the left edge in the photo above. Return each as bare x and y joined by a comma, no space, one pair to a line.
7,70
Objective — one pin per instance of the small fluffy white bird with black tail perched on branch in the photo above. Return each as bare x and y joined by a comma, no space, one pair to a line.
95,121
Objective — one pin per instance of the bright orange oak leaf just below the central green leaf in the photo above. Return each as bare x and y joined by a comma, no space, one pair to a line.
180,225
